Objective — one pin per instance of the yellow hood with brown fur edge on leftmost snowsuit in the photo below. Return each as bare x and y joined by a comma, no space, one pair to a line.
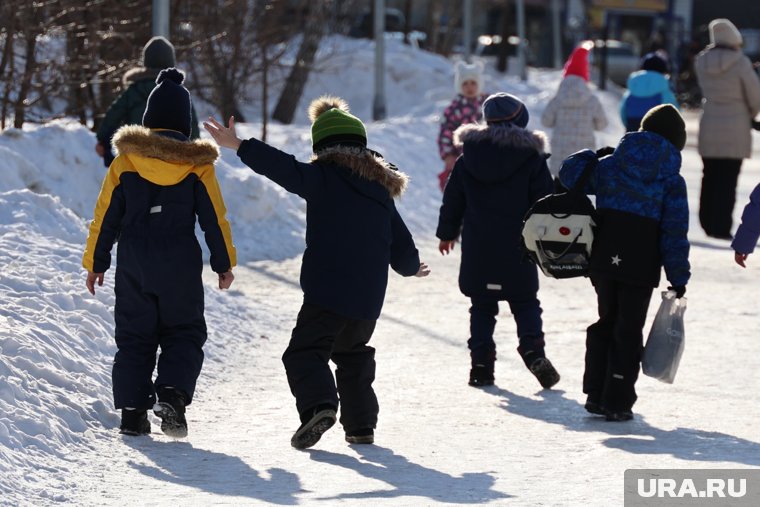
162,159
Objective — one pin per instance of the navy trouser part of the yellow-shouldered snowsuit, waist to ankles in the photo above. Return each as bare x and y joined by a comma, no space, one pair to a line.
159,303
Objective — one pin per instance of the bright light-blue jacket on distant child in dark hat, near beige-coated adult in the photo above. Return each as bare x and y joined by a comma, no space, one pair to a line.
646,89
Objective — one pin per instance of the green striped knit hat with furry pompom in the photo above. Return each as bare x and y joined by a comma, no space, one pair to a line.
334,125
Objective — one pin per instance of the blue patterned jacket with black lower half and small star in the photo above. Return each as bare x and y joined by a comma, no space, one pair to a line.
643,210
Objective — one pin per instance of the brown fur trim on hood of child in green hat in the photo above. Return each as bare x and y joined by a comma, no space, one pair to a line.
367,165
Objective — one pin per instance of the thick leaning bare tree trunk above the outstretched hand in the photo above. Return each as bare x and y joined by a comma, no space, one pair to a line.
299,73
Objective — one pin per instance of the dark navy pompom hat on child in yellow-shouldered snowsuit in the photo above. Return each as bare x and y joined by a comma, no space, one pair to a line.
168,104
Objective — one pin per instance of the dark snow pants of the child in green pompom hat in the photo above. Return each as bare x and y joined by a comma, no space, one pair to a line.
320,336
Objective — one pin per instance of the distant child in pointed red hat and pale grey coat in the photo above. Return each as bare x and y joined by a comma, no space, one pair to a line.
574,113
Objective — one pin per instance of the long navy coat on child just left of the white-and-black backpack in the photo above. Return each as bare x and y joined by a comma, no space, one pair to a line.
500,174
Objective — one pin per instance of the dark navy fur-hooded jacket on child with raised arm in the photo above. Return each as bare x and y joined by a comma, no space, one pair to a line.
353,230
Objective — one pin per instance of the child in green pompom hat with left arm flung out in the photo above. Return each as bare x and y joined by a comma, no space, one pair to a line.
353,233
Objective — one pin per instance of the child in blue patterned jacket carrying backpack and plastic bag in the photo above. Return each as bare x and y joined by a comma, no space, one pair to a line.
643,218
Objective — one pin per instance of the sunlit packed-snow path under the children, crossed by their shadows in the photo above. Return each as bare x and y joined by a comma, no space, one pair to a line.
440,441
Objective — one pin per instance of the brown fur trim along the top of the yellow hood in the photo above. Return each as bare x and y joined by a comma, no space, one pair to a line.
134,139
